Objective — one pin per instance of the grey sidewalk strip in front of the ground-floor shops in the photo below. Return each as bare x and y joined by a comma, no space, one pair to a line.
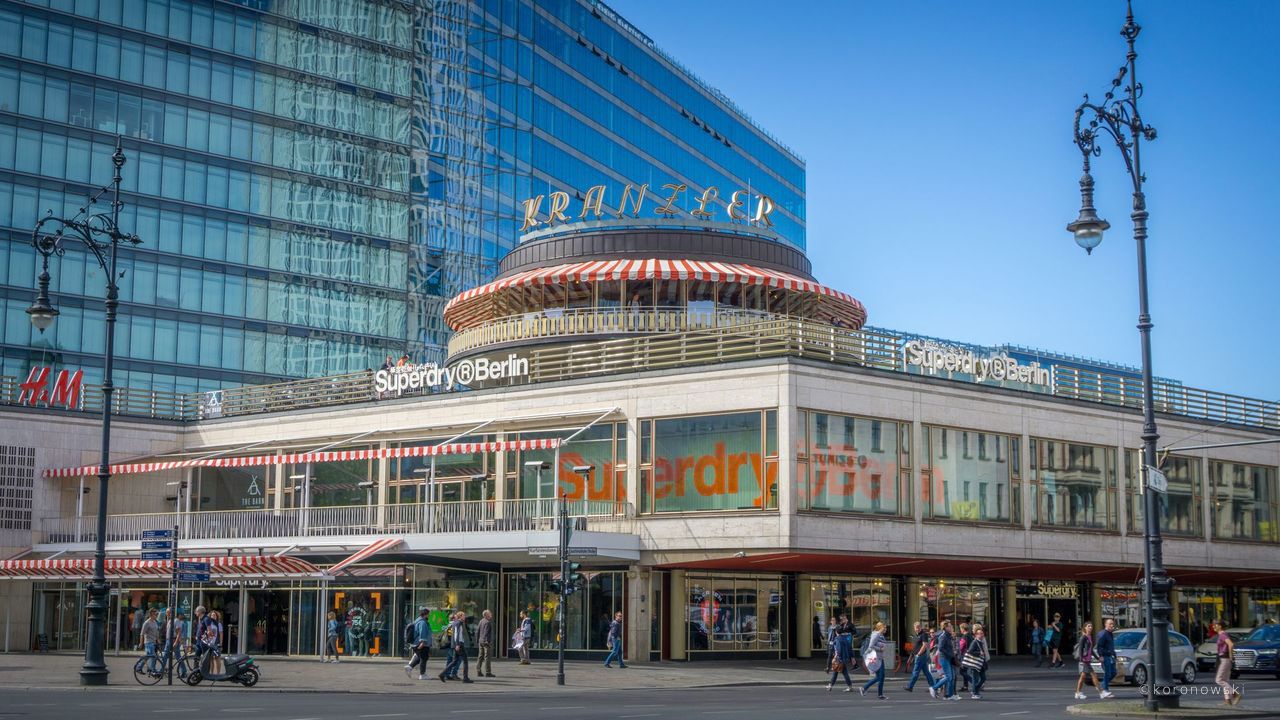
286,675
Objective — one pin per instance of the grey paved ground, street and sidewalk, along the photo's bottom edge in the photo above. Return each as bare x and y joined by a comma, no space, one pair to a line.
44,687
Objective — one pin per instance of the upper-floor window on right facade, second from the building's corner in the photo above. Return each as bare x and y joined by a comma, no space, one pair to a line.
972,476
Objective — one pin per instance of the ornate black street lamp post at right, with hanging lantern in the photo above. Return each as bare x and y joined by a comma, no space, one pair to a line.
1121,120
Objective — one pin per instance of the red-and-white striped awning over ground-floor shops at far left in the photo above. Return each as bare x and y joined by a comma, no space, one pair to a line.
235,567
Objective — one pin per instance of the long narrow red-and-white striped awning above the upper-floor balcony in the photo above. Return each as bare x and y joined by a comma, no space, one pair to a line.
303,458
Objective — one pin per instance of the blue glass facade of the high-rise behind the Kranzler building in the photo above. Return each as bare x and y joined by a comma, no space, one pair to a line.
313,180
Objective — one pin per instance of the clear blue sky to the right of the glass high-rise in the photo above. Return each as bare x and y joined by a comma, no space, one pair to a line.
941,170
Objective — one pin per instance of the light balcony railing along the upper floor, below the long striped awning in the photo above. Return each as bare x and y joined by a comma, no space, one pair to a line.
458,517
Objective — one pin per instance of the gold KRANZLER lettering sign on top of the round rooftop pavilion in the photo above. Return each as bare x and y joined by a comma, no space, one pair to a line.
634,197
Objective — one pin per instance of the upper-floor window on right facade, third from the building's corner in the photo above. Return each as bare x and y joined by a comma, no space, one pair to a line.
1073,486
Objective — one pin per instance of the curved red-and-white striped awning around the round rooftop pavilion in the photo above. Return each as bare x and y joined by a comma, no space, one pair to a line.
468,308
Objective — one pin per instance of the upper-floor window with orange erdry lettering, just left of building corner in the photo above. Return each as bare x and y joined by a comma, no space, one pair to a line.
710,463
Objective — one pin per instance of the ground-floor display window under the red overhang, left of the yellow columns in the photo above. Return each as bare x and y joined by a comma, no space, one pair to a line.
734,614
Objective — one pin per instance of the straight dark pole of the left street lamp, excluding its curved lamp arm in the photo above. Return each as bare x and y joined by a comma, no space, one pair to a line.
94,671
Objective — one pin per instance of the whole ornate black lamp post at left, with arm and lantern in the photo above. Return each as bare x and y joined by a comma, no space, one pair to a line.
100,234
